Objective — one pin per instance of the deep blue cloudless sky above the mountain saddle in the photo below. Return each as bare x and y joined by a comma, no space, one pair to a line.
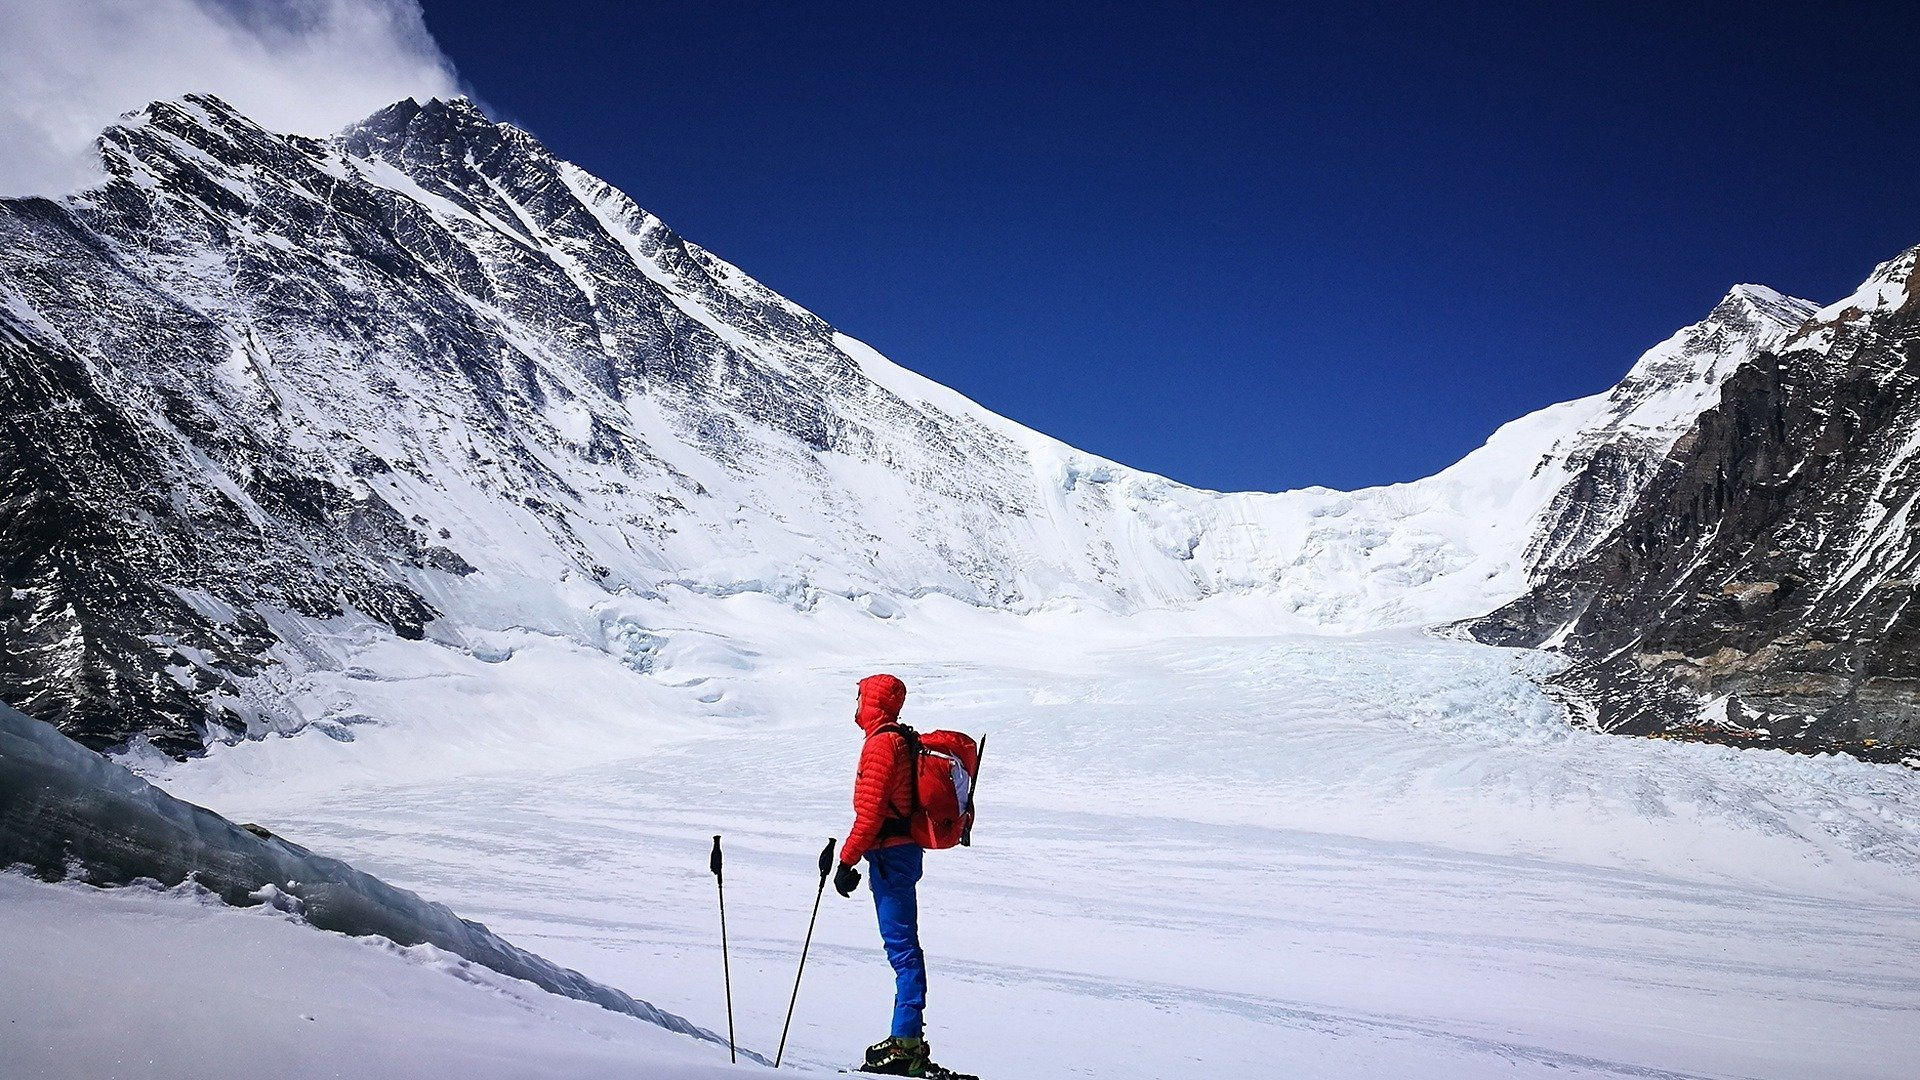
1239,245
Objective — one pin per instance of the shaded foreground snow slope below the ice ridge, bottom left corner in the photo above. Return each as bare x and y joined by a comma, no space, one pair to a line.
164,985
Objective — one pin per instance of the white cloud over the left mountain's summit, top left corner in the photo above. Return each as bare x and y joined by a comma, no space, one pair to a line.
70,68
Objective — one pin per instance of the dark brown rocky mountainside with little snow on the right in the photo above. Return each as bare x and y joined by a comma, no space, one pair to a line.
1762,591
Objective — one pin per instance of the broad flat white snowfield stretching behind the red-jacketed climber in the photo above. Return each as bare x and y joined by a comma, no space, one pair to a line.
1374,856
